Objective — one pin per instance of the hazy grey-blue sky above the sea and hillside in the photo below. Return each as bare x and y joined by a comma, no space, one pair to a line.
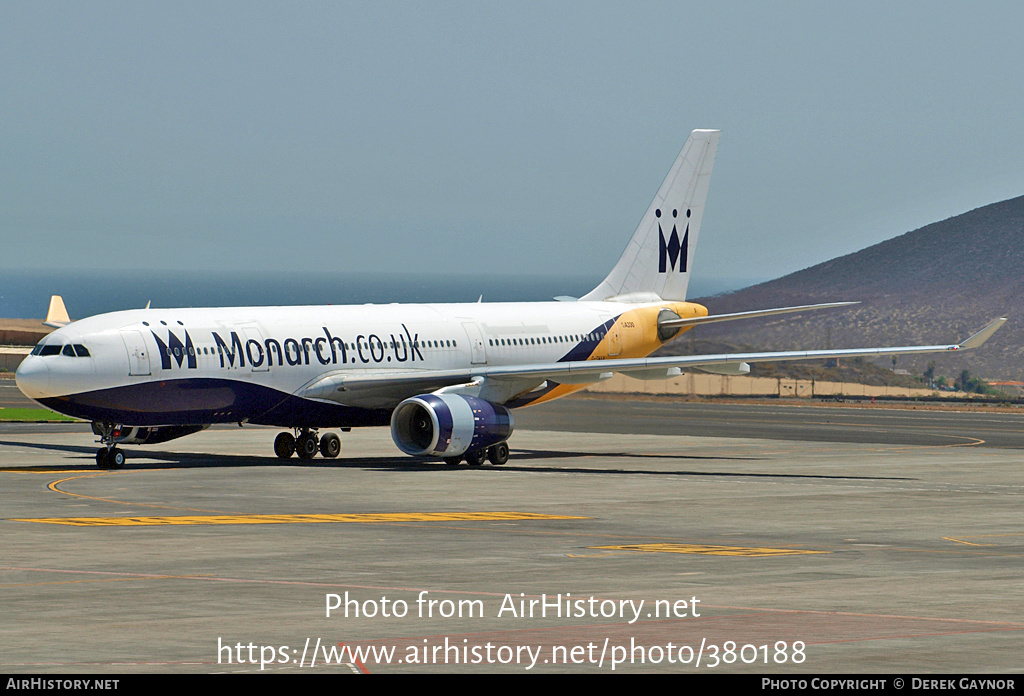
492,138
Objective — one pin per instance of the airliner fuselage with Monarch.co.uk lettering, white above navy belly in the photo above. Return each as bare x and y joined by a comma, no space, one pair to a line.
177,367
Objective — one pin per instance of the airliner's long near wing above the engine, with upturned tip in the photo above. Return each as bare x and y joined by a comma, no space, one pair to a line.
388,388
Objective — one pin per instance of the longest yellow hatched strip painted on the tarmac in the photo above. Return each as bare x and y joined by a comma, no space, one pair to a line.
365,518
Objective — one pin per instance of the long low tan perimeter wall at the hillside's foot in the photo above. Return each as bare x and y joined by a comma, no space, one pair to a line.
719,385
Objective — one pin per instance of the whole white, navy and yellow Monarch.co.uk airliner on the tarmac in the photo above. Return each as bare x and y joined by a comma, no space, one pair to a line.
444,377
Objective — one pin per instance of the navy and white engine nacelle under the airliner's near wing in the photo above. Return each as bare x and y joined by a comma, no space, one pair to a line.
449,425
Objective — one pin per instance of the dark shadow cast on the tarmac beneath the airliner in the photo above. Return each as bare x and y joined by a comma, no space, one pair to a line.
144,460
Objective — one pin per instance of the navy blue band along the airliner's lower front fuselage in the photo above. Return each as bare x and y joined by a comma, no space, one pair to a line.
202,402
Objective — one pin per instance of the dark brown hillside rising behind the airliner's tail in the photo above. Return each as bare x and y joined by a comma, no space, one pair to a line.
935,285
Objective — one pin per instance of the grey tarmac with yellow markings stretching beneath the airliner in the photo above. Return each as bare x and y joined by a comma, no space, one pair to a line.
752,539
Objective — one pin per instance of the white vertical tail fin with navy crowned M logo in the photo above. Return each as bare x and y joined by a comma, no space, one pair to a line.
658,259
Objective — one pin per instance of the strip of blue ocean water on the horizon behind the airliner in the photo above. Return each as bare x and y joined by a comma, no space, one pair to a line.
26,294
